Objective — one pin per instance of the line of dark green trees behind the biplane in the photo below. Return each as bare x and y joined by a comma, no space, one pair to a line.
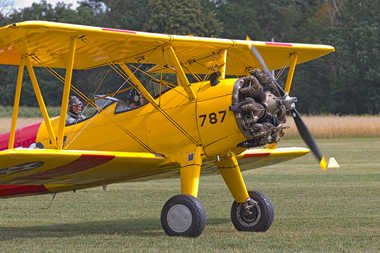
344,82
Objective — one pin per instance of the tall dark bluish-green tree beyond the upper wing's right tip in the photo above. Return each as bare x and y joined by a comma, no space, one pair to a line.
356,64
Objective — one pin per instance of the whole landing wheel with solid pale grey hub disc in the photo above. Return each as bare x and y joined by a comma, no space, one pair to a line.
183,215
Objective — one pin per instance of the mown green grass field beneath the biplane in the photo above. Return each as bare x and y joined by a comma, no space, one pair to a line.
337,210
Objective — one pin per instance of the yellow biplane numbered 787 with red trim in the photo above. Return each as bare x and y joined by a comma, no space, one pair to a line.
184,129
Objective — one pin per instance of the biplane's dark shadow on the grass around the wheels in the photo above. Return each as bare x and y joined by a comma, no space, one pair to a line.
125,227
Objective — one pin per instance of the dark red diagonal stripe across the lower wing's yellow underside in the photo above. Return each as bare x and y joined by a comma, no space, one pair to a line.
84,162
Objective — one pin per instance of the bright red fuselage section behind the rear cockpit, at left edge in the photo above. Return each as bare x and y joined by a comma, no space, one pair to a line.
24,137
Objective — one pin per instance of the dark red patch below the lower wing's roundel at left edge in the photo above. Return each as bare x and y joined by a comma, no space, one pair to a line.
21,190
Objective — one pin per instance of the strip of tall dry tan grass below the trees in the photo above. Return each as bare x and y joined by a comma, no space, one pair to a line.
320,126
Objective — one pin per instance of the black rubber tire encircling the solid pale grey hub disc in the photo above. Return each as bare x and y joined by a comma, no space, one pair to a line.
194,206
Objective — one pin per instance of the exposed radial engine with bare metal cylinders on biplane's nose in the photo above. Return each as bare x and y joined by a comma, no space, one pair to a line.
259,109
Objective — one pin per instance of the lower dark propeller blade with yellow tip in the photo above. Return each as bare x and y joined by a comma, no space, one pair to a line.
308,138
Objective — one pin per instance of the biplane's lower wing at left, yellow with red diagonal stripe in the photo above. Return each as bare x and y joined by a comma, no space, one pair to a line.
64,167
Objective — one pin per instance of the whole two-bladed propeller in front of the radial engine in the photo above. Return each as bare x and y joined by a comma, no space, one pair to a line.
289,103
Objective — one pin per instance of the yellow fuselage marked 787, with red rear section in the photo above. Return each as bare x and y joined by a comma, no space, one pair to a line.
206,121
